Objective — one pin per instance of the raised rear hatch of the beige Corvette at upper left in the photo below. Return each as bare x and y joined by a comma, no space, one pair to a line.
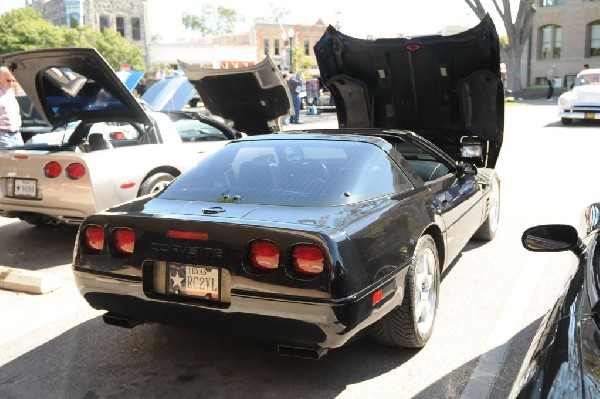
70,84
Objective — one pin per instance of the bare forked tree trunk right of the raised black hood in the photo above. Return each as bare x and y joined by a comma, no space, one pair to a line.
517,32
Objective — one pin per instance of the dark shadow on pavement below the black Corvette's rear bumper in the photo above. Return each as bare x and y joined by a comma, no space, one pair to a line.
93,360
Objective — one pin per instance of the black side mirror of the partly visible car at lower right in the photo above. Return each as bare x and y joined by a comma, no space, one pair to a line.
552,238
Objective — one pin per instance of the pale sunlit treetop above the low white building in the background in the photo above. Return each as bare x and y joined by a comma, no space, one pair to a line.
211,21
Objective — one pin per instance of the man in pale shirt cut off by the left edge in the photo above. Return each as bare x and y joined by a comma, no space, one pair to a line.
10,113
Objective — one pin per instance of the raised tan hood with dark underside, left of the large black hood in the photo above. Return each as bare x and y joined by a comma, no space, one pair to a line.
252,97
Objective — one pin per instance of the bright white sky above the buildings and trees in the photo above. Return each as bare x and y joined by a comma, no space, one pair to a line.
380,18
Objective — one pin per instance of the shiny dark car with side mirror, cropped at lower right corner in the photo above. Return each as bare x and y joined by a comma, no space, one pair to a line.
564,358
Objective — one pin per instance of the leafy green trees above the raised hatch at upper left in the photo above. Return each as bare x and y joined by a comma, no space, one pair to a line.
25,29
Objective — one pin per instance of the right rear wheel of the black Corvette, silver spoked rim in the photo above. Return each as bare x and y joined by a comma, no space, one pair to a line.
410,325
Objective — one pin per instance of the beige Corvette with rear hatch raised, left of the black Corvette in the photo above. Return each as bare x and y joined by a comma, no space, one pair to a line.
116,149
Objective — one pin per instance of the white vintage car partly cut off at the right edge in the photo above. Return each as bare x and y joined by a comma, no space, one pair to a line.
583,100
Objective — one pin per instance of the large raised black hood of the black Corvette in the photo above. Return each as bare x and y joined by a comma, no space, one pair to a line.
445,88
